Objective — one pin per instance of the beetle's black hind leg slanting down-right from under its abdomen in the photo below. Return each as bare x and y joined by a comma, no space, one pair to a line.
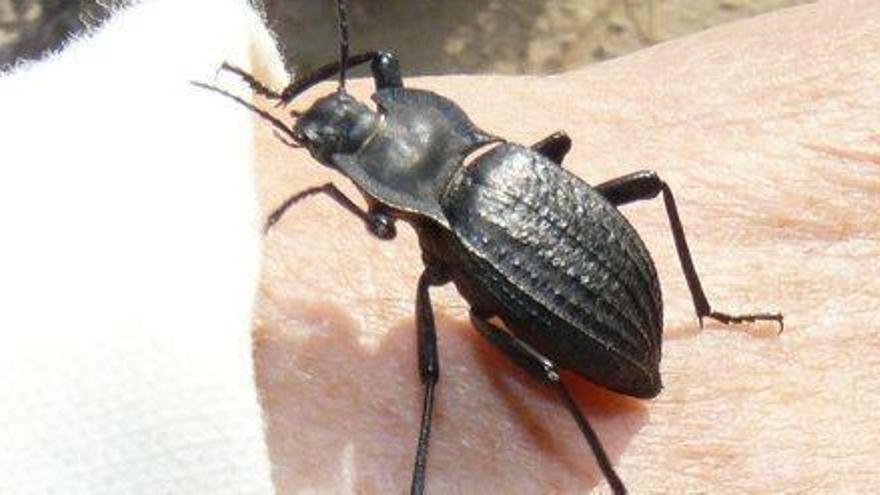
527,358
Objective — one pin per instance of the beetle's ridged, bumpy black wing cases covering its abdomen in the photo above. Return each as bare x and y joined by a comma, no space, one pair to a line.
559,265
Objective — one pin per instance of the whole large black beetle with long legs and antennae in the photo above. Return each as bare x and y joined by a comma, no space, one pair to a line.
522,239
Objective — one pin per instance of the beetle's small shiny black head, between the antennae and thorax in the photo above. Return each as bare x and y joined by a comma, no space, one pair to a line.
336,123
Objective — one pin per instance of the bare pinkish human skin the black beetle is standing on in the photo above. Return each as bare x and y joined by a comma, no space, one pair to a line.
768,132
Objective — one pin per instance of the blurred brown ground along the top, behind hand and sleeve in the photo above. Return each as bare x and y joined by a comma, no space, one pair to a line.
429,36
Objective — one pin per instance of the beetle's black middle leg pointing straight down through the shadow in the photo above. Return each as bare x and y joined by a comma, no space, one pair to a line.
429,369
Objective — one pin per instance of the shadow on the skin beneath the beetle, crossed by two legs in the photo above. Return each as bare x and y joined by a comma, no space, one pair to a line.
340,413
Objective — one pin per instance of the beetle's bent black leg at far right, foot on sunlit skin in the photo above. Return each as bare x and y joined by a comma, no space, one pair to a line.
646,184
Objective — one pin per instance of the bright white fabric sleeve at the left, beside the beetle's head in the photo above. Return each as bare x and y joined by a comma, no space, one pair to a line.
129,260
